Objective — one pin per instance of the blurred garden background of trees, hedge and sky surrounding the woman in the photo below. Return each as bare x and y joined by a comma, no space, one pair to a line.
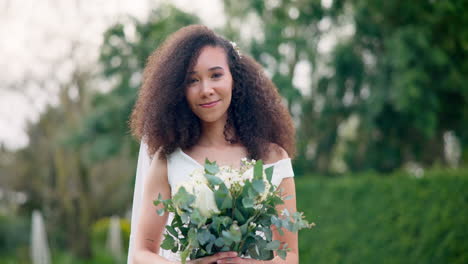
378,91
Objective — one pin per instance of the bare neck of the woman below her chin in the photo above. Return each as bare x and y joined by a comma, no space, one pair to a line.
213,134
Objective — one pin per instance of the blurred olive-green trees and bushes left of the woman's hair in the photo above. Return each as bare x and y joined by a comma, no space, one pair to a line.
80,163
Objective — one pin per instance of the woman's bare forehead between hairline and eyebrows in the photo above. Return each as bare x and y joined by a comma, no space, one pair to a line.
211,56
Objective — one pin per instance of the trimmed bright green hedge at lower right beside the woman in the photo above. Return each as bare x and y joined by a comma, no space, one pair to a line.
394,219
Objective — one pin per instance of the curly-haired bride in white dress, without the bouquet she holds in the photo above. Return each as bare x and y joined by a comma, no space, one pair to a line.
200,99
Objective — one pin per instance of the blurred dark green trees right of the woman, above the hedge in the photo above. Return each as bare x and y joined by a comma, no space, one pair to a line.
401,70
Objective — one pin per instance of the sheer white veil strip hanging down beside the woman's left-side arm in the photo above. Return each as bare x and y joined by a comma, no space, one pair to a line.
143,165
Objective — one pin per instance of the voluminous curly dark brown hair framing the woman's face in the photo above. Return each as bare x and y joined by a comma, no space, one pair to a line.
163,118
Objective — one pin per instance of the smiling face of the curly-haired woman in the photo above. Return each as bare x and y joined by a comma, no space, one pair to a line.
209,88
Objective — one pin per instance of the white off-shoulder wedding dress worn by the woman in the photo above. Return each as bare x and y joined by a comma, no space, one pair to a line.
180,166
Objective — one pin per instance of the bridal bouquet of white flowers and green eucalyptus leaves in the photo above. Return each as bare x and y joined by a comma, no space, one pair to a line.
225,209
